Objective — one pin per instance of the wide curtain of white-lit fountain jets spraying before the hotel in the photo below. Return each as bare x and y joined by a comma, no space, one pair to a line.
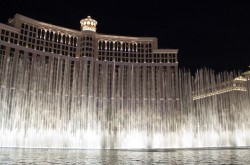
40,109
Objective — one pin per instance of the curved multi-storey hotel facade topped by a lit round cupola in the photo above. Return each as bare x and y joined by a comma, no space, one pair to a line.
40,57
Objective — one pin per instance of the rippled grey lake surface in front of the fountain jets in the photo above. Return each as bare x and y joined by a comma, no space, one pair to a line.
130,157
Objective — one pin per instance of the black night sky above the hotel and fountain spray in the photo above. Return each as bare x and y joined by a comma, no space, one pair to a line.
212,34
